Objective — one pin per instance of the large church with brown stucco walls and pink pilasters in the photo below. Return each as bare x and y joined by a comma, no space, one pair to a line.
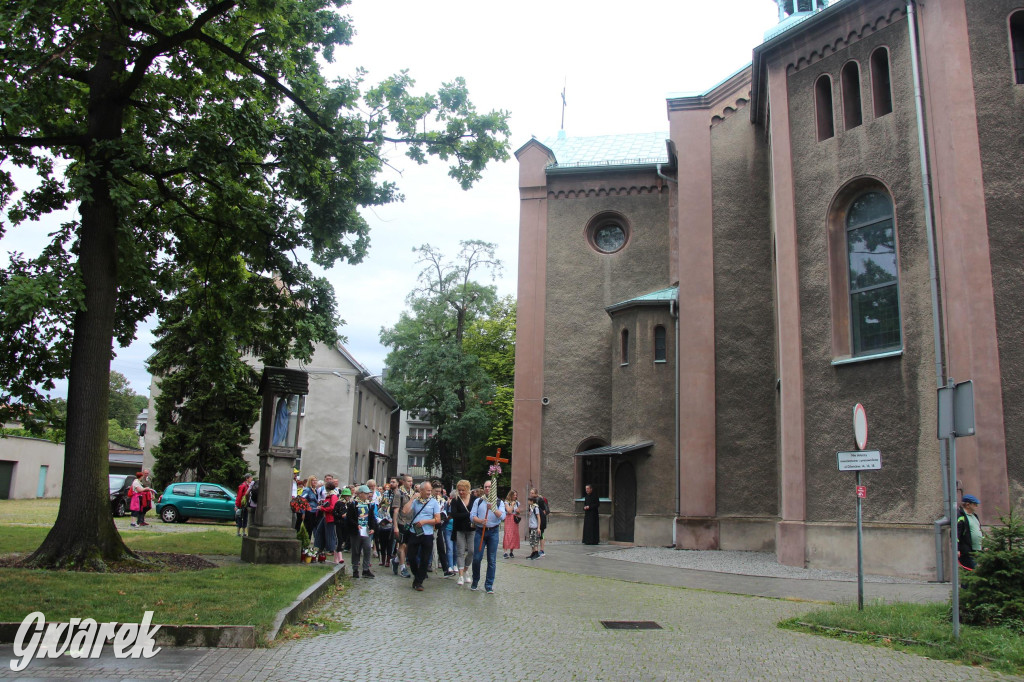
701,310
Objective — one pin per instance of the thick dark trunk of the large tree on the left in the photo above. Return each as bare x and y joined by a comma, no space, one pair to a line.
84,535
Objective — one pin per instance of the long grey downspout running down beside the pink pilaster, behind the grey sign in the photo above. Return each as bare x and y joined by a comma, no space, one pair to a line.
933,270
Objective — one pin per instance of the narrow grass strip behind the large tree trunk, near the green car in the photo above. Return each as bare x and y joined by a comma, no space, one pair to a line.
215,541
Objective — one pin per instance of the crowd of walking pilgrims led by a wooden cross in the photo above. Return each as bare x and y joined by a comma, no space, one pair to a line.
415,530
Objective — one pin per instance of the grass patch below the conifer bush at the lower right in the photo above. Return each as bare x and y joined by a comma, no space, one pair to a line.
921,629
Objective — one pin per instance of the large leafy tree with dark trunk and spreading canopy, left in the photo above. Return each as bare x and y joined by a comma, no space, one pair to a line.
204,149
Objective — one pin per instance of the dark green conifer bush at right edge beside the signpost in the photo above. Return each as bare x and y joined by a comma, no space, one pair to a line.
994,593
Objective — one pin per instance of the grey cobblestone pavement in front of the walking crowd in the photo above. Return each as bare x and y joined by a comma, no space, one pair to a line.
548,623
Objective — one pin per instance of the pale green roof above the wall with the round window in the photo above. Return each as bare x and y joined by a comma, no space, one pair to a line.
629,150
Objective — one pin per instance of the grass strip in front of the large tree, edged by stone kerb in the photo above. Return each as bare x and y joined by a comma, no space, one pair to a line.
243,594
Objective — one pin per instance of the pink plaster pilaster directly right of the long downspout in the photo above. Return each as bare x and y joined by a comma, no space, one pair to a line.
968,302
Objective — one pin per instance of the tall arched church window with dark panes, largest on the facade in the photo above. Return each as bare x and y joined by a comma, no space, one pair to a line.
871,240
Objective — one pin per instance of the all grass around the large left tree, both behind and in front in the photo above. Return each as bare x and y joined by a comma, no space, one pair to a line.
237,594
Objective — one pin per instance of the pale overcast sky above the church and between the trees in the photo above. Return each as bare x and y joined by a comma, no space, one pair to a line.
617,61
